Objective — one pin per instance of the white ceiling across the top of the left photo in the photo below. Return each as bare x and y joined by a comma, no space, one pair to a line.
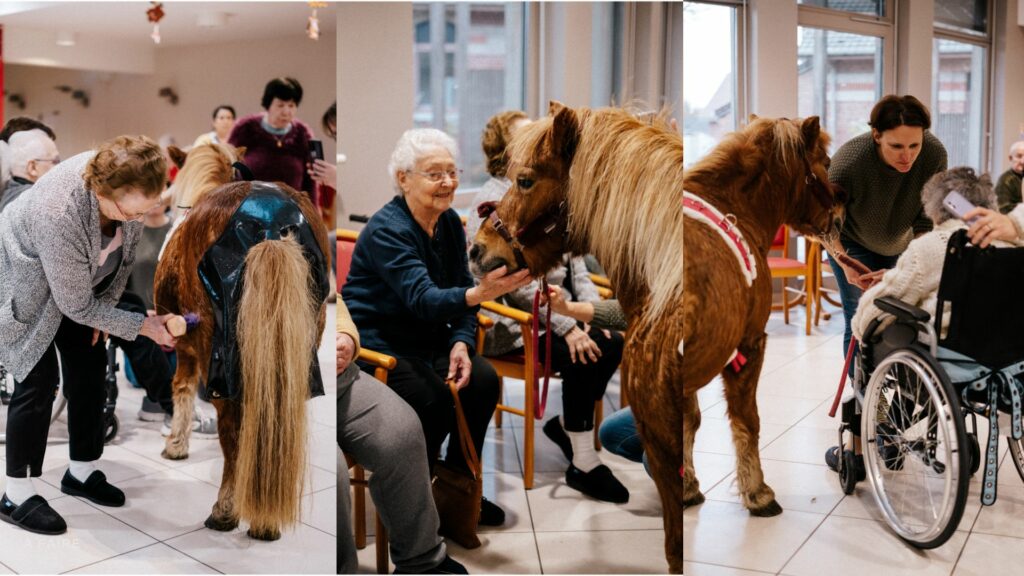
129,22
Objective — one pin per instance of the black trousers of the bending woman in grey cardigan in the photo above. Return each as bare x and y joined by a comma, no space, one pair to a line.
84,368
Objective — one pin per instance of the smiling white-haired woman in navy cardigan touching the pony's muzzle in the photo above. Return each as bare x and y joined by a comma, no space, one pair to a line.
412,297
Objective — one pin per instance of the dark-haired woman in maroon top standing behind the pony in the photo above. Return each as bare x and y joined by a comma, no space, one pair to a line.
277,144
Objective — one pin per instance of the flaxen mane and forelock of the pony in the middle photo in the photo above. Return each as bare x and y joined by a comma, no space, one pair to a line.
613,196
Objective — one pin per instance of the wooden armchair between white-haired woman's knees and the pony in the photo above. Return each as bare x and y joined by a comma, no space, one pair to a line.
518,366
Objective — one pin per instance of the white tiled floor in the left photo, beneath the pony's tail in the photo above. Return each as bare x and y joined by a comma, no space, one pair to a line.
160,529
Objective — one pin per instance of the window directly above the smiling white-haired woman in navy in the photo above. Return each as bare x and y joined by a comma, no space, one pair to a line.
468,66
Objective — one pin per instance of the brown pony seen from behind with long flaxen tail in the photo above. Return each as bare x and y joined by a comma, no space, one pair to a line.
264,434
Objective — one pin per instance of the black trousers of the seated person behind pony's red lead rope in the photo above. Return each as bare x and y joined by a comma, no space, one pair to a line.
583,384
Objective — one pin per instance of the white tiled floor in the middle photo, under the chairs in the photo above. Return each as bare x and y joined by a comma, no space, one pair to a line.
552,528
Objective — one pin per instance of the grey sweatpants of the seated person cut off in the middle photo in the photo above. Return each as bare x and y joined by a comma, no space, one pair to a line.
382,433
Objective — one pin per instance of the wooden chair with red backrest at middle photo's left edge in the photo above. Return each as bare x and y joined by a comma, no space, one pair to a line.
382,365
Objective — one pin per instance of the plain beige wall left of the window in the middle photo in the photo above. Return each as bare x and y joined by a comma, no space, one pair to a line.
375,101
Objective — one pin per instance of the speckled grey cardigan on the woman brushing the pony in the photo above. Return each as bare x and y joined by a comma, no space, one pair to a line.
50,252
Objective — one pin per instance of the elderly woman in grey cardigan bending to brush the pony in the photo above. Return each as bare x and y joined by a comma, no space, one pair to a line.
66,253
